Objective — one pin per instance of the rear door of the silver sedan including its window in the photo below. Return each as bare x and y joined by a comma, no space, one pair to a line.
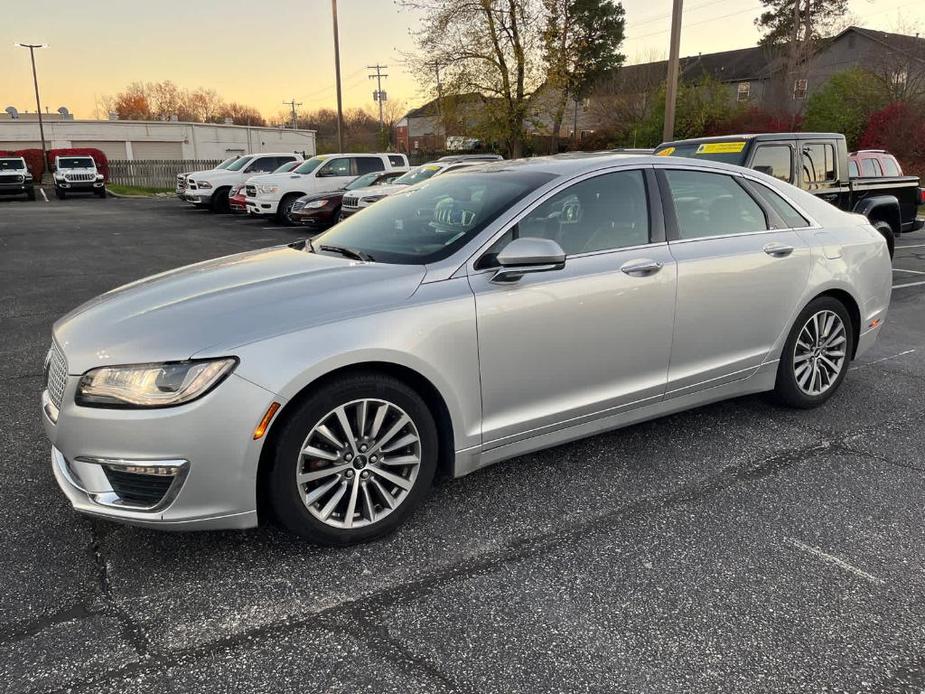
741,273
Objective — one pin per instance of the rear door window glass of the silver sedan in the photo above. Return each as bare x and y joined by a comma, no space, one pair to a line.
708,204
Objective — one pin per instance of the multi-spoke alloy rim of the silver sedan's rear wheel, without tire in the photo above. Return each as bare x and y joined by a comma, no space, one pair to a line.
819,353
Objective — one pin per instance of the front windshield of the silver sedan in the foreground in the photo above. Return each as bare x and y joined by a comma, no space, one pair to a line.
429,222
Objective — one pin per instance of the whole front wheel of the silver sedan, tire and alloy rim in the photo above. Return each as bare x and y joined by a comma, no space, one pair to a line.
354,461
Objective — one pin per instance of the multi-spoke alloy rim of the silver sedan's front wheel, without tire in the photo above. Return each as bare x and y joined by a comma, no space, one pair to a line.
358,463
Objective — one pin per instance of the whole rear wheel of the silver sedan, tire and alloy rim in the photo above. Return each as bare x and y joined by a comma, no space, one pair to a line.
816,354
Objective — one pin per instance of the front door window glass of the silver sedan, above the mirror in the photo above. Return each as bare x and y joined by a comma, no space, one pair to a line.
602,213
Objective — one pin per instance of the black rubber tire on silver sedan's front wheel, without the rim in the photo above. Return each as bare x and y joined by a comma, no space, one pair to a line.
284,495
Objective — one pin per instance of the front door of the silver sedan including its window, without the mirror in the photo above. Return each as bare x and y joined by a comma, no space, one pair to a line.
562,347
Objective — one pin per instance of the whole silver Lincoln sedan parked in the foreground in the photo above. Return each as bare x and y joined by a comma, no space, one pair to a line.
466,320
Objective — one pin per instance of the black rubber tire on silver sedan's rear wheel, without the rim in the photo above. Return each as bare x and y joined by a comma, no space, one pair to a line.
787,390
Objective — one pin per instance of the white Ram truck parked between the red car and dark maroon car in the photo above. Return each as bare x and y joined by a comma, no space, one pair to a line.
275,195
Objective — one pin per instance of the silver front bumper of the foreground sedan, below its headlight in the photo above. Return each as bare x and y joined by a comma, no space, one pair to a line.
204,450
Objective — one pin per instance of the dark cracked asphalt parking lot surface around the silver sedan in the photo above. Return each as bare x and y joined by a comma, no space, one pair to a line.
736,548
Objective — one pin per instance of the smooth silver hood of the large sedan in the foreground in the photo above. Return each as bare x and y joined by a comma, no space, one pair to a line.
215,306
